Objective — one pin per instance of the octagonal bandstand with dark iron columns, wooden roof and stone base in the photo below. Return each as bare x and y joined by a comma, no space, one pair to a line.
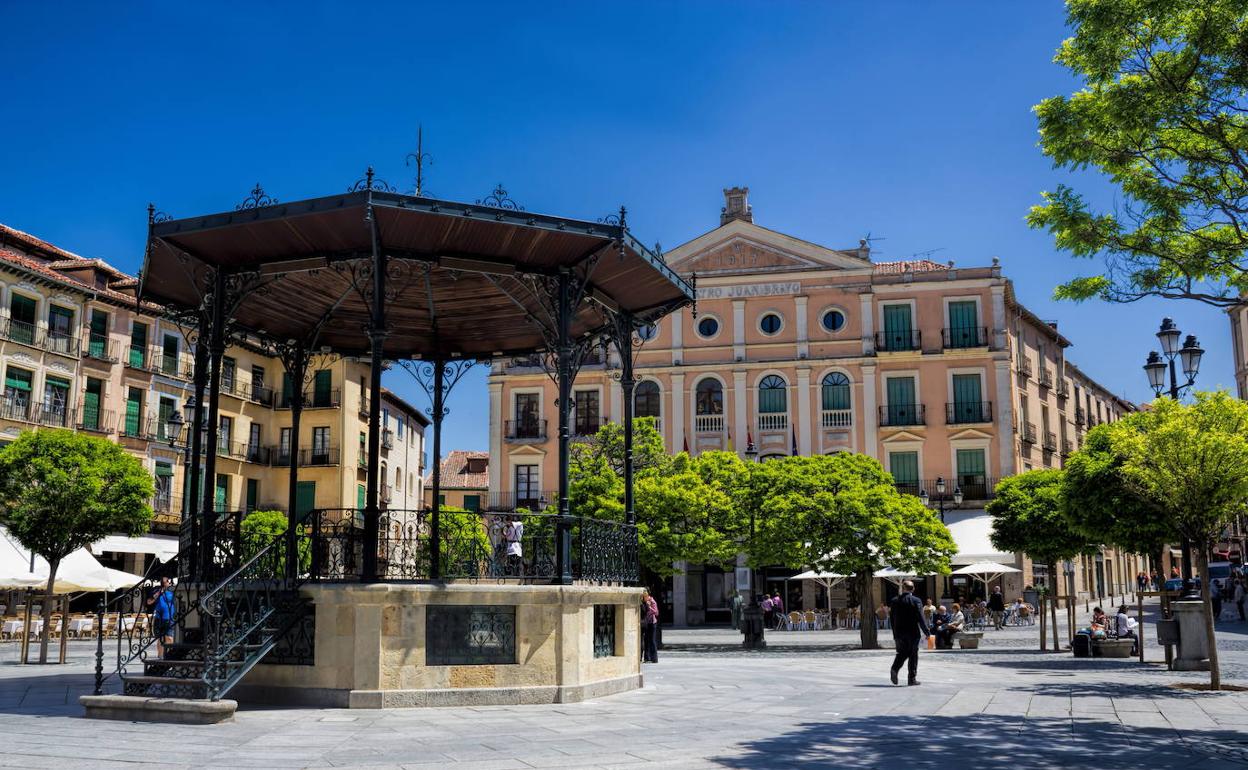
376,607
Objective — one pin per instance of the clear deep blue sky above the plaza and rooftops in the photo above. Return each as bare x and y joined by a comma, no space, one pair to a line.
910,122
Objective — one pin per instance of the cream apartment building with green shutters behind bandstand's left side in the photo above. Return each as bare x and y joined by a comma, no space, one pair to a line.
79,351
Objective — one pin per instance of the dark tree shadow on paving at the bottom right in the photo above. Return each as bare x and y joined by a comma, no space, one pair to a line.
984,743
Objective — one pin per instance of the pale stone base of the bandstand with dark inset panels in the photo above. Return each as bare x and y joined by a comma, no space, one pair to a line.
373,648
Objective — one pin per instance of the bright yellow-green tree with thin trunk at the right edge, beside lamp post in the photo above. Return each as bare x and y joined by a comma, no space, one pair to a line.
1192,464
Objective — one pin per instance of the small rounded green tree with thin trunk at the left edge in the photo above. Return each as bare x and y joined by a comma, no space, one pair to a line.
63,491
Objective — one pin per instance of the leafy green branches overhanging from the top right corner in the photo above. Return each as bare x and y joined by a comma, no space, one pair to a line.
1163,114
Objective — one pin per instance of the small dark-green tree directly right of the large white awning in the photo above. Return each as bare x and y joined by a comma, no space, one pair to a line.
1030,516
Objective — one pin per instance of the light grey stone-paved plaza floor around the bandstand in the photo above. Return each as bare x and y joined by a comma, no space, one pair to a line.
808,702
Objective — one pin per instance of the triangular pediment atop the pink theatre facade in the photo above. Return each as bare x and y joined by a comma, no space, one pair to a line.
744,248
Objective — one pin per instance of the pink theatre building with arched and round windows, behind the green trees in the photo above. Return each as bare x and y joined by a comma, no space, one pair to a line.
796,349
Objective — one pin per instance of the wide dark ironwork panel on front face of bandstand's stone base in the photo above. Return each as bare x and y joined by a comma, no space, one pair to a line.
470,636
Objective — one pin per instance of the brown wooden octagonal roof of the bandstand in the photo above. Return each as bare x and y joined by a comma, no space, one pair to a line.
464,280
